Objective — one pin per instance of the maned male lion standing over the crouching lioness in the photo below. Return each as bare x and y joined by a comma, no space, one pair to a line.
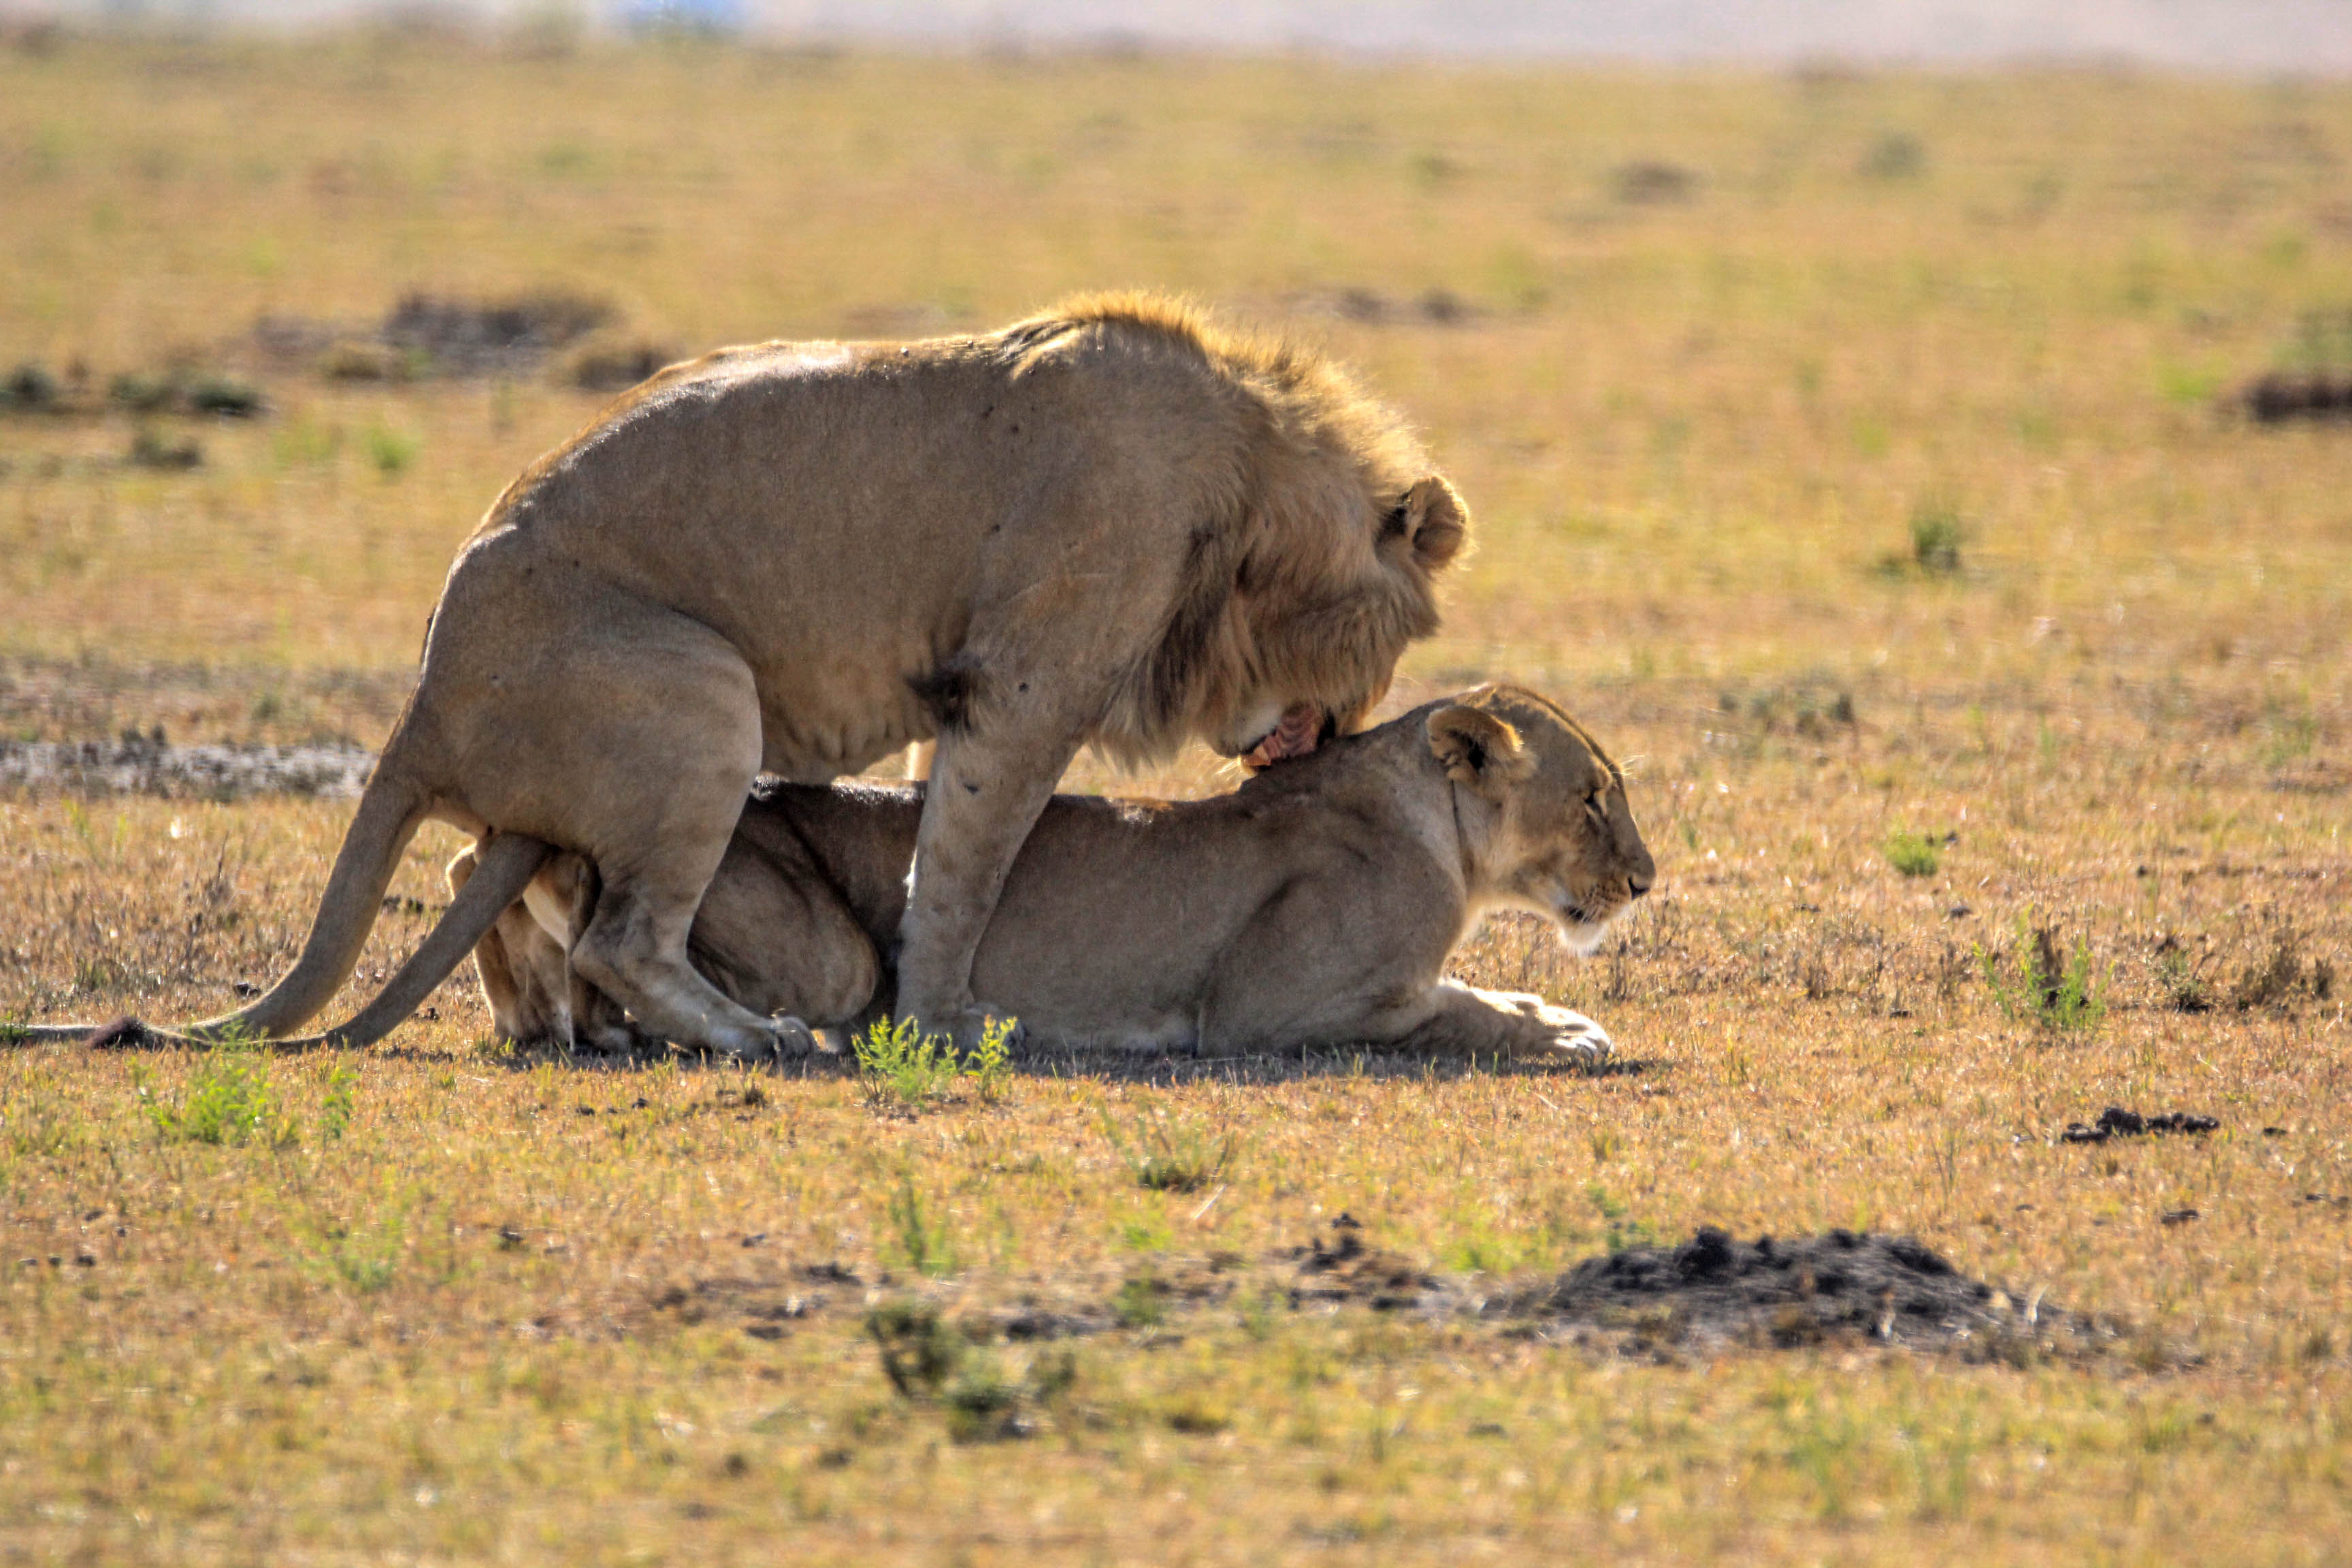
1107,525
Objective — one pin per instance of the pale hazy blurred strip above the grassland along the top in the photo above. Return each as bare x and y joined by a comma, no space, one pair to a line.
2207,36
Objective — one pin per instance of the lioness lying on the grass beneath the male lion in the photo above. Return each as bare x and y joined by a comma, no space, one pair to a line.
1314,906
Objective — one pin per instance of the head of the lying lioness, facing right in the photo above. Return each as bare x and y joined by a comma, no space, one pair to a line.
1553,831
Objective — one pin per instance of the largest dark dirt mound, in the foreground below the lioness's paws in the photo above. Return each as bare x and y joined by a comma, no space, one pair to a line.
1796,1292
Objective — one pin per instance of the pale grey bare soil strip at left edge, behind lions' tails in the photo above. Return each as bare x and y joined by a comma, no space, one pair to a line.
142,765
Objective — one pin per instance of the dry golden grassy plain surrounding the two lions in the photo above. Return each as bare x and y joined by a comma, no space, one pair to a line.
1716,356
